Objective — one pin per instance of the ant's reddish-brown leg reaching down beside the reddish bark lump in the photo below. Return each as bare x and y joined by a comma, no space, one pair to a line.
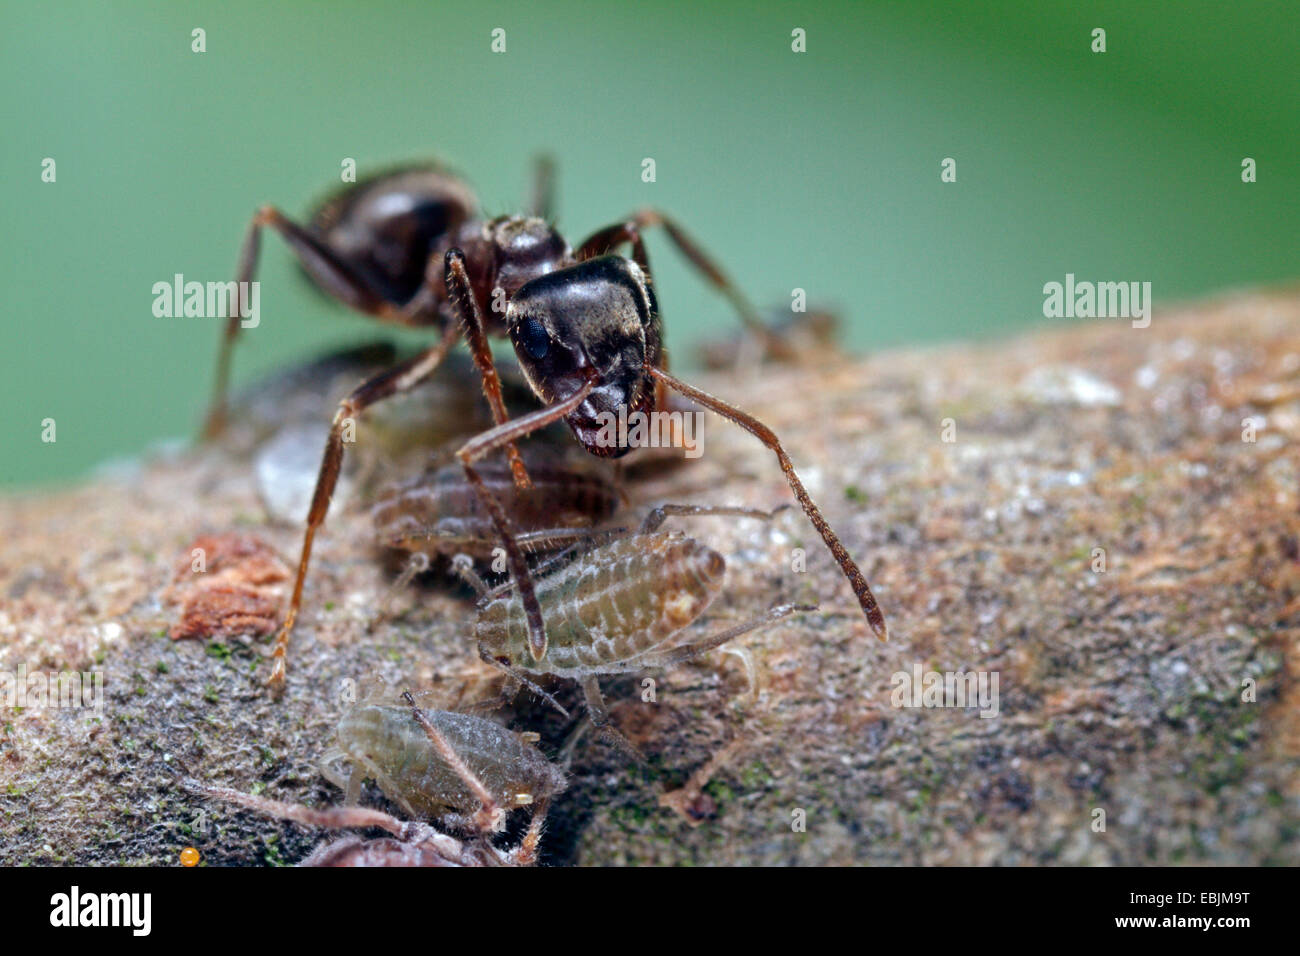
401,378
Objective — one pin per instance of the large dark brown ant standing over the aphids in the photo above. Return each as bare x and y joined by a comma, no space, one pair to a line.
584,325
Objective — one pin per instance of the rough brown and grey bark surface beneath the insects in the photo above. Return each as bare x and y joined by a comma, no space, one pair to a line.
1125,690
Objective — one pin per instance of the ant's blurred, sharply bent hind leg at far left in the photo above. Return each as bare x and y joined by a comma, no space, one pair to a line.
331,272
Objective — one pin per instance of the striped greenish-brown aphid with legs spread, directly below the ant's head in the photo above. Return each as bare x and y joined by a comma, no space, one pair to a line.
622,607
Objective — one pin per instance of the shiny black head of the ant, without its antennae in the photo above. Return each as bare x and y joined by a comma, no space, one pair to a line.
597,319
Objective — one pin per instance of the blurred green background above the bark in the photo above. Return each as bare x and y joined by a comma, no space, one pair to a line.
818,171
